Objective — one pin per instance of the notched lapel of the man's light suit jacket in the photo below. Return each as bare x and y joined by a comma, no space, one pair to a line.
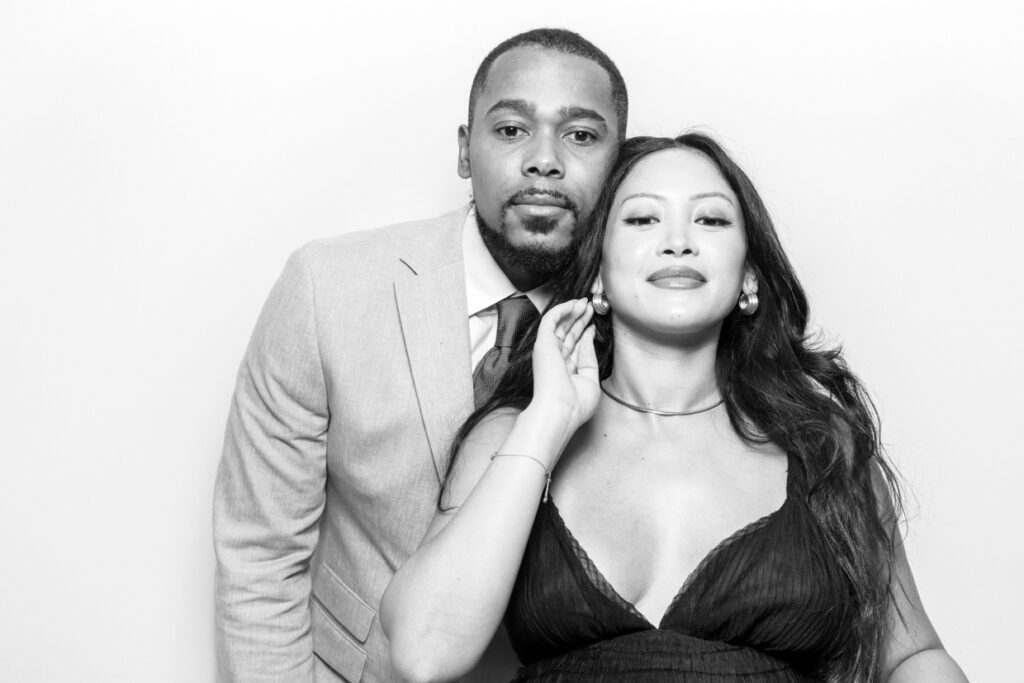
432,300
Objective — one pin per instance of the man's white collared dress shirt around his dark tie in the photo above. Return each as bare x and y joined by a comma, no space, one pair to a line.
487,284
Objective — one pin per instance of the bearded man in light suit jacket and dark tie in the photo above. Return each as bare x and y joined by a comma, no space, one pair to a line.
362,367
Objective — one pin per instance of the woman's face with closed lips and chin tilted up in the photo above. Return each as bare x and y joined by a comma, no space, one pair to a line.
675,248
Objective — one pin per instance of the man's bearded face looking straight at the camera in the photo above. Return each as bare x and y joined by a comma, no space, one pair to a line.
545,136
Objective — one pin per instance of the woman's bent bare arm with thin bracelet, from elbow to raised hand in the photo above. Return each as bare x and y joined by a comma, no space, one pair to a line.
446,603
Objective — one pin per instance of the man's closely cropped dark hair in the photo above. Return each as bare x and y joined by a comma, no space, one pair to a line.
567,42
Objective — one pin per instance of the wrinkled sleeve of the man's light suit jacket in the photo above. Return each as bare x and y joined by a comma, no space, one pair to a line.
271,490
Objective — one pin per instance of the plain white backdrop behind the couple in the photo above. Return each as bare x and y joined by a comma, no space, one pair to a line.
160,160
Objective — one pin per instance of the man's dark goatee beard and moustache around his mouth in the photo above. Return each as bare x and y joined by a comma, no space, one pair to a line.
537,259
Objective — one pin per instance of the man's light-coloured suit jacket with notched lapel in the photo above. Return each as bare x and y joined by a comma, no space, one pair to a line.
357,376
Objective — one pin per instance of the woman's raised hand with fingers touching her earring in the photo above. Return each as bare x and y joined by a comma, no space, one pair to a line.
566,376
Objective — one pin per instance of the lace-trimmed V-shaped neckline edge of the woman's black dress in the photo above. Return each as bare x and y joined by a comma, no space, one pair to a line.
599,580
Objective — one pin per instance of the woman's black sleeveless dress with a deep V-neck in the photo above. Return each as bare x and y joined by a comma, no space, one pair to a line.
769,604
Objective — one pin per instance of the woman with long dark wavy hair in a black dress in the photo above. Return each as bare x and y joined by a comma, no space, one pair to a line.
724,511
